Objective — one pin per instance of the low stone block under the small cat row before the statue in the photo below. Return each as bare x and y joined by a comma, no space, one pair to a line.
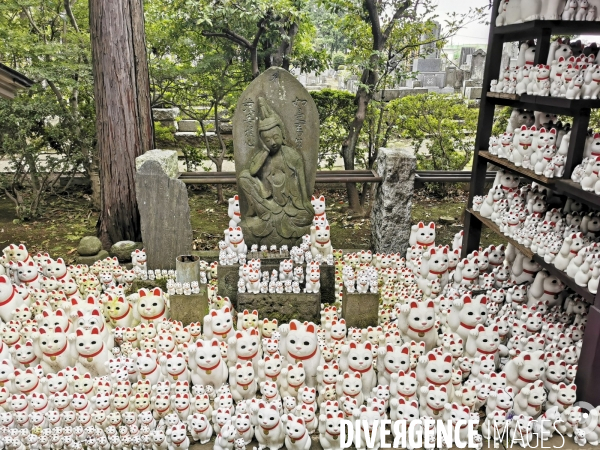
283,307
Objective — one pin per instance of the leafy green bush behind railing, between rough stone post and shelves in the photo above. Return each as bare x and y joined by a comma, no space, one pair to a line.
441,129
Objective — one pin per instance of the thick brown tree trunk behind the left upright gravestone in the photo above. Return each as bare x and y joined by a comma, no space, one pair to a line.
123,115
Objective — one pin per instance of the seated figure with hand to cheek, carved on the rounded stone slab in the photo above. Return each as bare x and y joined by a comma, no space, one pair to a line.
274,186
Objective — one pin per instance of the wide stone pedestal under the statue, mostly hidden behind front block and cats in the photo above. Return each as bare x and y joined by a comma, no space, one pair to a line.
228,277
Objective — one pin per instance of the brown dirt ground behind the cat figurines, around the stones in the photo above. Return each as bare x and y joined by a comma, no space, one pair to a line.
66,220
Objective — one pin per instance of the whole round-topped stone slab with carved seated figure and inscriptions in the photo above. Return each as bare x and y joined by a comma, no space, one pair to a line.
276,141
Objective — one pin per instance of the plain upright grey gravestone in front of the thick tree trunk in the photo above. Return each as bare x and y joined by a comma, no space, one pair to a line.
164,212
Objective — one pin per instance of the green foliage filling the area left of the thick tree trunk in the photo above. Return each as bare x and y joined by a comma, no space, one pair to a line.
48,130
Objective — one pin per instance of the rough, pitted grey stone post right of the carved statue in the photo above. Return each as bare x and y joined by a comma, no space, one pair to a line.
390,215
